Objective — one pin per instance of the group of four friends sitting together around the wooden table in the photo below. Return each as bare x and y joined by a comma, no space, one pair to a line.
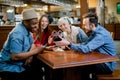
30,37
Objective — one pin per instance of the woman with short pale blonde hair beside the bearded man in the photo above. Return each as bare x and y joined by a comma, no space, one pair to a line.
71,33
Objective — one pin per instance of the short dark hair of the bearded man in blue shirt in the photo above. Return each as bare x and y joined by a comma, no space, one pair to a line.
92,18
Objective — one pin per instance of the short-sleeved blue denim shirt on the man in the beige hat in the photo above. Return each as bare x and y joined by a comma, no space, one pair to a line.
19,40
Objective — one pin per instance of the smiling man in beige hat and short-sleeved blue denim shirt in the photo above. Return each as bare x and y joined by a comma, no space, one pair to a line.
18,49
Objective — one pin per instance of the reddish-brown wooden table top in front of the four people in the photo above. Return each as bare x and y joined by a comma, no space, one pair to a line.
71,58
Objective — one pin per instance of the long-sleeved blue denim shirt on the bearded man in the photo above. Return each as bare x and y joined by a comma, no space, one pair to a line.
100,41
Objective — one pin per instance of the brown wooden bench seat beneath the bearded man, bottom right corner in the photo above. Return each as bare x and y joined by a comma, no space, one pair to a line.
114,76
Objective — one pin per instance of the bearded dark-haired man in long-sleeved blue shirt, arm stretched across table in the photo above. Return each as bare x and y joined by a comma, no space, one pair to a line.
99,40
